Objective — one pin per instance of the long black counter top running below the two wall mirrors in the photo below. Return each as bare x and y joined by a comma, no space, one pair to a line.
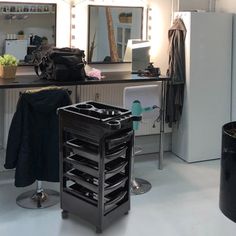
26,78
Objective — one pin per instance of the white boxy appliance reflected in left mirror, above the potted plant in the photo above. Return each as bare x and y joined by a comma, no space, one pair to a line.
17,48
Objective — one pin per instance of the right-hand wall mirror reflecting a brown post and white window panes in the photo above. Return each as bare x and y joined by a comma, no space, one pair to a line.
109,29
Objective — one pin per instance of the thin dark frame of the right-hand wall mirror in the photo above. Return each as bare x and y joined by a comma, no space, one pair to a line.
89,36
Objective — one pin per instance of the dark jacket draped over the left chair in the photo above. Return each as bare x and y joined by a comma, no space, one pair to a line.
33,140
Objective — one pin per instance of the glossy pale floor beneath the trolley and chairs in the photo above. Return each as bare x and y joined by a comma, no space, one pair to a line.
183,201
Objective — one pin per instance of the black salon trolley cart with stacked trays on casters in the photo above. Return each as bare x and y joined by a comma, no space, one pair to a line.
96,143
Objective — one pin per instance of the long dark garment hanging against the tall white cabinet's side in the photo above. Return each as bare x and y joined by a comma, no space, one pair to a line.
176,71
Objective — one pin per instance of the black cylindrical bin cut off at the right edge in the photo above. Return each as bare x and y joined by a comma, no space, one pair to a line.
228,171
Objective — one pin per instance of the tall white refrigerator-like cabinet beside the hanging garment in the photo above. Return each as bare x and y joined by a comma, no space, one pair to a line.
207,98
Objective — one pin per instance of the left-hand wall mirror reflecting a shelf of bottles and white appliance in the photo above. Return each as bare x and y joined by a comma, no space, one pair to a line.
24,27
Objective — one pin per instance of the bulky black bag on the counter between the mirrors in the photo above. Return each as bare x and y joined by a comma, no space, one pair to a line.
62,64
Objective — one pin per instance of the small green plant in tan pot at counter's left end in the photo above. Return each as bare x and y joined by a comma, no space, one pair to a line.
8,66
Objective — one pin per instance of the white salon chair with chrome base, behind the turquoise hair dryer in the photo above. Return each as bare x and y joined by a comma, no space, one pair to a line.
144,102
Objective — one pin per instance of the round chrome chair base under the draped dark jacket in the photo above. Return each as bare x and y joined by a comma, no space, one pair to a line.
35,200
